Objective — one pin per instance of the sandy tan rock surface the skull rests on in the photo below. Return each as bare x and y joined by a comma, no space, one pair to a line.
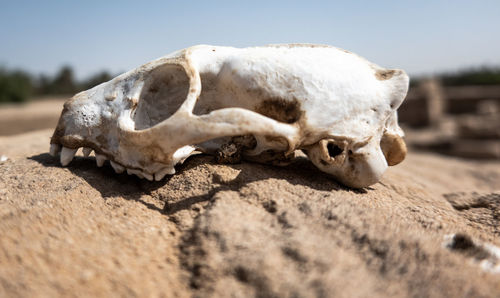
245,230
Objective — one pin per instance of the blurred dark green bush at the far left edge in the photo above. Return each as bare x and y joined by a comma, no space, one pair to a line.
15,86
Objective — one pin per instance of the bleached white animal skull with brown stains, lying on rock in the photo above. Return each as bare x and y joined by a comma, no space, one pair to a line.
334,105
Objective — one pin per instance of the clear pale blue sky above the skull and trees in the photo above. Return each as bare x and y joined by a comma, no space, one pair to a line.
421,37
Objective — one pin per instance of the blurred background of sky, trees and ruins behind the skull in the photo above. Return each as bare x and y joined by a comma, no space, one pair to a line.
451,50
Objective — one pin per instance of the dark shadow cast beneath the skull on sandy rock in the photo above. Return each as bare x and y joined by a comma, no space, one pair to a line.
110,184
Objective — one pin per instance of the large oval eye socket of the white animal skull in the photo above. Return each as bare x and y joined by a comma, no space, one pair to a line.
164,91
